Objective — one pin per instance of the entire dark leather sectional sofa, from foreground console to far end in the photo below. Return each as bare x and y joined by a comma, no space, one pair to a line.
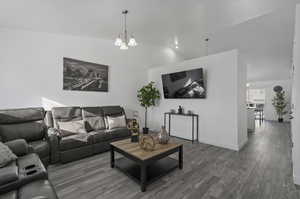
34,136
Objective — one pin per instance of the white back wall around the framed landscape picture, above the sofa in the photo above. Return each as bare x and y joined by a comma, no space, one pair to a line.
31,66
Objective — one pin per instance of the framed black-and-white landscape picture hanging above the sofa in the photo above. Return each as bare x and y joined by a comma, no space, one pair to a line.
84,76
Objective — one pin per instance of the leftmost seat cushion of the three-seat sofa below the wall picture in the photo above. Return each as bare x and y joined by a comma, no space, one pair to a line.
74,141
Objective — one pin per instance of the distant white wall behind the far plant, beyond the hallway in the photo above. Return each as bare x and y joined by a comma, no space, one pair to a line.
269,111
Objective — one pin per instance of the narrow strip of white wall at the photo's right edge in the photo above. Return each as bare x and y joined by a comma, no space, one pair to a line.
296,101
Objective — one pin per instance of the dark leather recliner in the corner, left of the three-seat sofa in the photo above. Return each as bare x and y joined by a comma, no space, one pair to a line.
29,124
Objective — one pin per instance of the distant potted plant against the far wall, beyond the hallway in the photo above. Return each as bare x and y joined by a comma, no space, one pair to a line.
279,102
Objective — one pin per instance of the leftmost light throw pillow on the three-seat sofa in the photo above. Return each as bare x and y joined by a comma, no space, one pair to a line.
71,127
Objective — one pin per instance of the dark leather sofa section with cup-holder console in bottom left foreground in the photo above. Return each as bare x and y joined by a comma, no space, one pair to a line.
25,177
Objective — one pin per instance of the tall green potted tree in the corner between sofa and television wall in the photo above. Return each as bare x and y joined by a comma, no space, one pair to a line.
147,97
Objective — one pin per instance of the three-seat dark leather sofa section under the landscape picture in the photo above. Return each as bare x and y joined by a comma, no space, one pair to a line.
70,147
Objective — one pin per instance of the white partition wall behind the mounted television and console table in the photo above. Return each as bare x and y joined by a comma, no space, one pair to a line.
219,112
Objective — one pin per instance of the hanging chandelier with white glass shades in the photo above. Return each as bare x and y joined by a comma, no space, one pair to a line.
122,40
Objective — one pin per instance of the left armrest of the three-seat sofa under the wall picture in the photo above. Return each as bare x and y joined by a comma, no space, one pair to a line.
53,138
